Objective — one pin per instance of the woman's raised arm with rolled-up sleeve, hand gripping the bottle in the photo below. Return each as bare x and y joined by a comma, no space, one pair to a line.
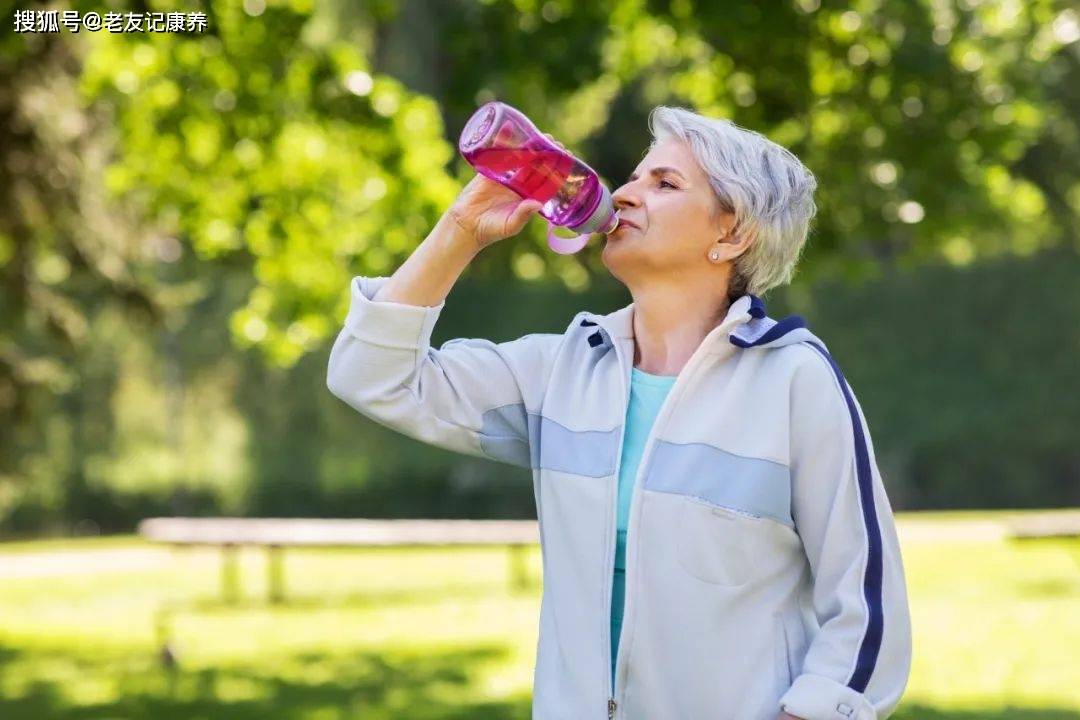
471,396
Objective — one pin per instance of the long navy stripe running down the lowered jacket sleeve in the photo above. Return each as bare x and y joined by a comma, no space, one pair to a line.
872,581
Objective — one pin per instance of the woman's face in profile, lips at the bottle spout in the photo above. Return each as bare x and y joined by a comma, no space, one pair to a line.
670,201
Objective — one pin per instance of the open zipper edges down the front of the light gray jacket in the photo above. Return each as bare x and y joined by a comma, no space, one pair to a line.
663,416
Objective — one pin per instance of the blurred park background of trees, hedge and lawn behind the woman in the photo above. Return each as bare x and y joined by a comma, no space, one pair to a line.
181,214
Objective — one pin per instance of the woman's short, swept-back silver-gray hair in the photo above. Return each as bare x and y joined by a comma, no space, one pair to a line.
767,188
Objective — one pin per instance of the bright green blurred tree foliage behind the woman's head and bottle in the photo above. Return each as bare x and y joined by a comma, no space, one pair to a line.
307,140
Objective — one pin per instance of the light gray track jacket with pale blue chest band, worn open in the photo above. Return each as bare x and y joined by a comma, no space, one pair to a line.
763,567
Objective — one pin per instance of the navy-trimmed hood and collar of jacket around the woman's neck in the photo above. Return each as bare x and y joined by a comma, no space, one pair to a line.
747,325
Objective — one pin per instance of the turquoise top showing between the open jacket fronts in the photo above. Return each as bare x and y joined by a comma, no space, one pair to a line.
647,393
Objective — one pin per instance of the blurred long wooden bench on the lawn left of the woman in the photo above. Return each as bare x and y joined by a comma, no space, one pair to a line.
275,535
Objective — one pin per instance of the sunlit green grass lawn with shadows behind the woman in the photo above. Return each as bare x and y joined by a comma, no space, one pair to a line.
426,634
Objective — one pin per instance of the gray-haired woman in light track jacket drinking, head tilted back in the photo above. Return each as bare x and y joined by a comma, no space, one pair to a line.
717,538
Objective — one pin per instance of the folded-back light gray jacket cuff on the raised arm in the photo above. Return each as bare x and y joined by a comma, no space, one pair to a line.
388,324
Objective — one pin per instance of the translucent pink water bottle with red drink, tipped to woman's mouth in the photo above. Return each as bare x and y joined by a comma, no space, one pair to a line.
505,146
